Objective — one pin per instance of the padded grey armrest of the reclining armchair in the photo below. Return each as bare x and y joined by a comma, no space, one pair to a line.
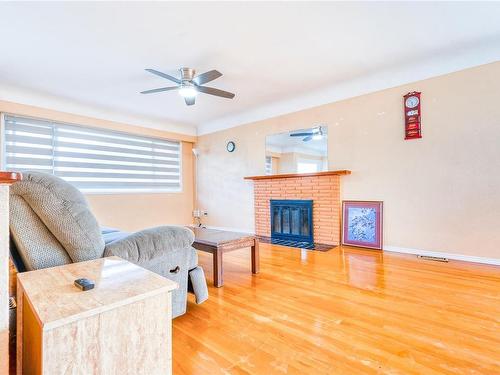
148,244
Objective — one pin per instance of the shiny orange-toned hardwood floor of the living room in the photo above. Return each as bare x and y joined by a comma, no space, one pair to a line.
346,311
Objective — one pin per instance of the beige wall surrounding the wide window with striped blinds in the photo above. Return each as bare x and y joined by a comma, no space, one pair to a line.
130,211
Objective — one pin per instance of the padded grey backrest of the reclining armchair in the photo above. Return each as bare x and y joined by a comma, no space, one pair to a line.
51,223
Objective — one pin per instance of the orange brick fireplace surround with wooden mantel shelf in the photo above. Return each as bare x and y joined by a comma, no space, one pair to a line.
323,188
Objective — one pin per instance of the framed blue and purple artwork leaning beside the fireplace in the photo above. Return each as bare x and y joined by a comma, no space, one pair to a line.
362,224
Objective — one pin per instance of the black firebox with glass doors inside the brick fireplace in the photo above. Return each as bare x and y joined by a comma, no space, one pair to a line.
292,220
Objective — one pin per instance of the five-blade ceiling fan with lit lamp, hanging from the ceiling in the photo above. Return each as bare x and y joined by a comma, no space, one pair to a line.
189,85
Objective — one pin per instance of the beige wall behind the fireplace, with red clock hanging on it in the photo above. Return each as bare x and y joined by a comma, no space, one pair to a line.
441,193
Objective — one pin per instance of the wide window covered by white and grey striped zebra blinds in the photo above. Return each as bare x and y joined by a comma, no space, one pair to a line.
92,159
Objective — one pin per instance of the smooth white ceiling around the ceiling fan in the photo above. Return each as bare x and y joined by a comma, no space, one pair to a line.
89,57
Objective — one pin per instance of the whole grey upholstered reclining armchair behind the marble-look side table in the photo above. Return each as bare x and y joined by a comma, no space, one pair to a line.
51,225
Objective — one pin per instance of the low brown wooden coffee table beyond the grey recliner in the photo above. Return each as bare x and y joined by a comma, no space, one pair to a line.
218,242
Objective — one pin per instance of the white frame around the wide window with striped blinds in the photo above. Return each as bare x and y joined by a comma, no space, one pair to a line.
180,189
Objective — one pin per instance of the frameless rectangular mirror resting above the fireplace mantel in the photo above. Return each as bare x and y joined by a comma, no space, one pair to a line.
297,151
